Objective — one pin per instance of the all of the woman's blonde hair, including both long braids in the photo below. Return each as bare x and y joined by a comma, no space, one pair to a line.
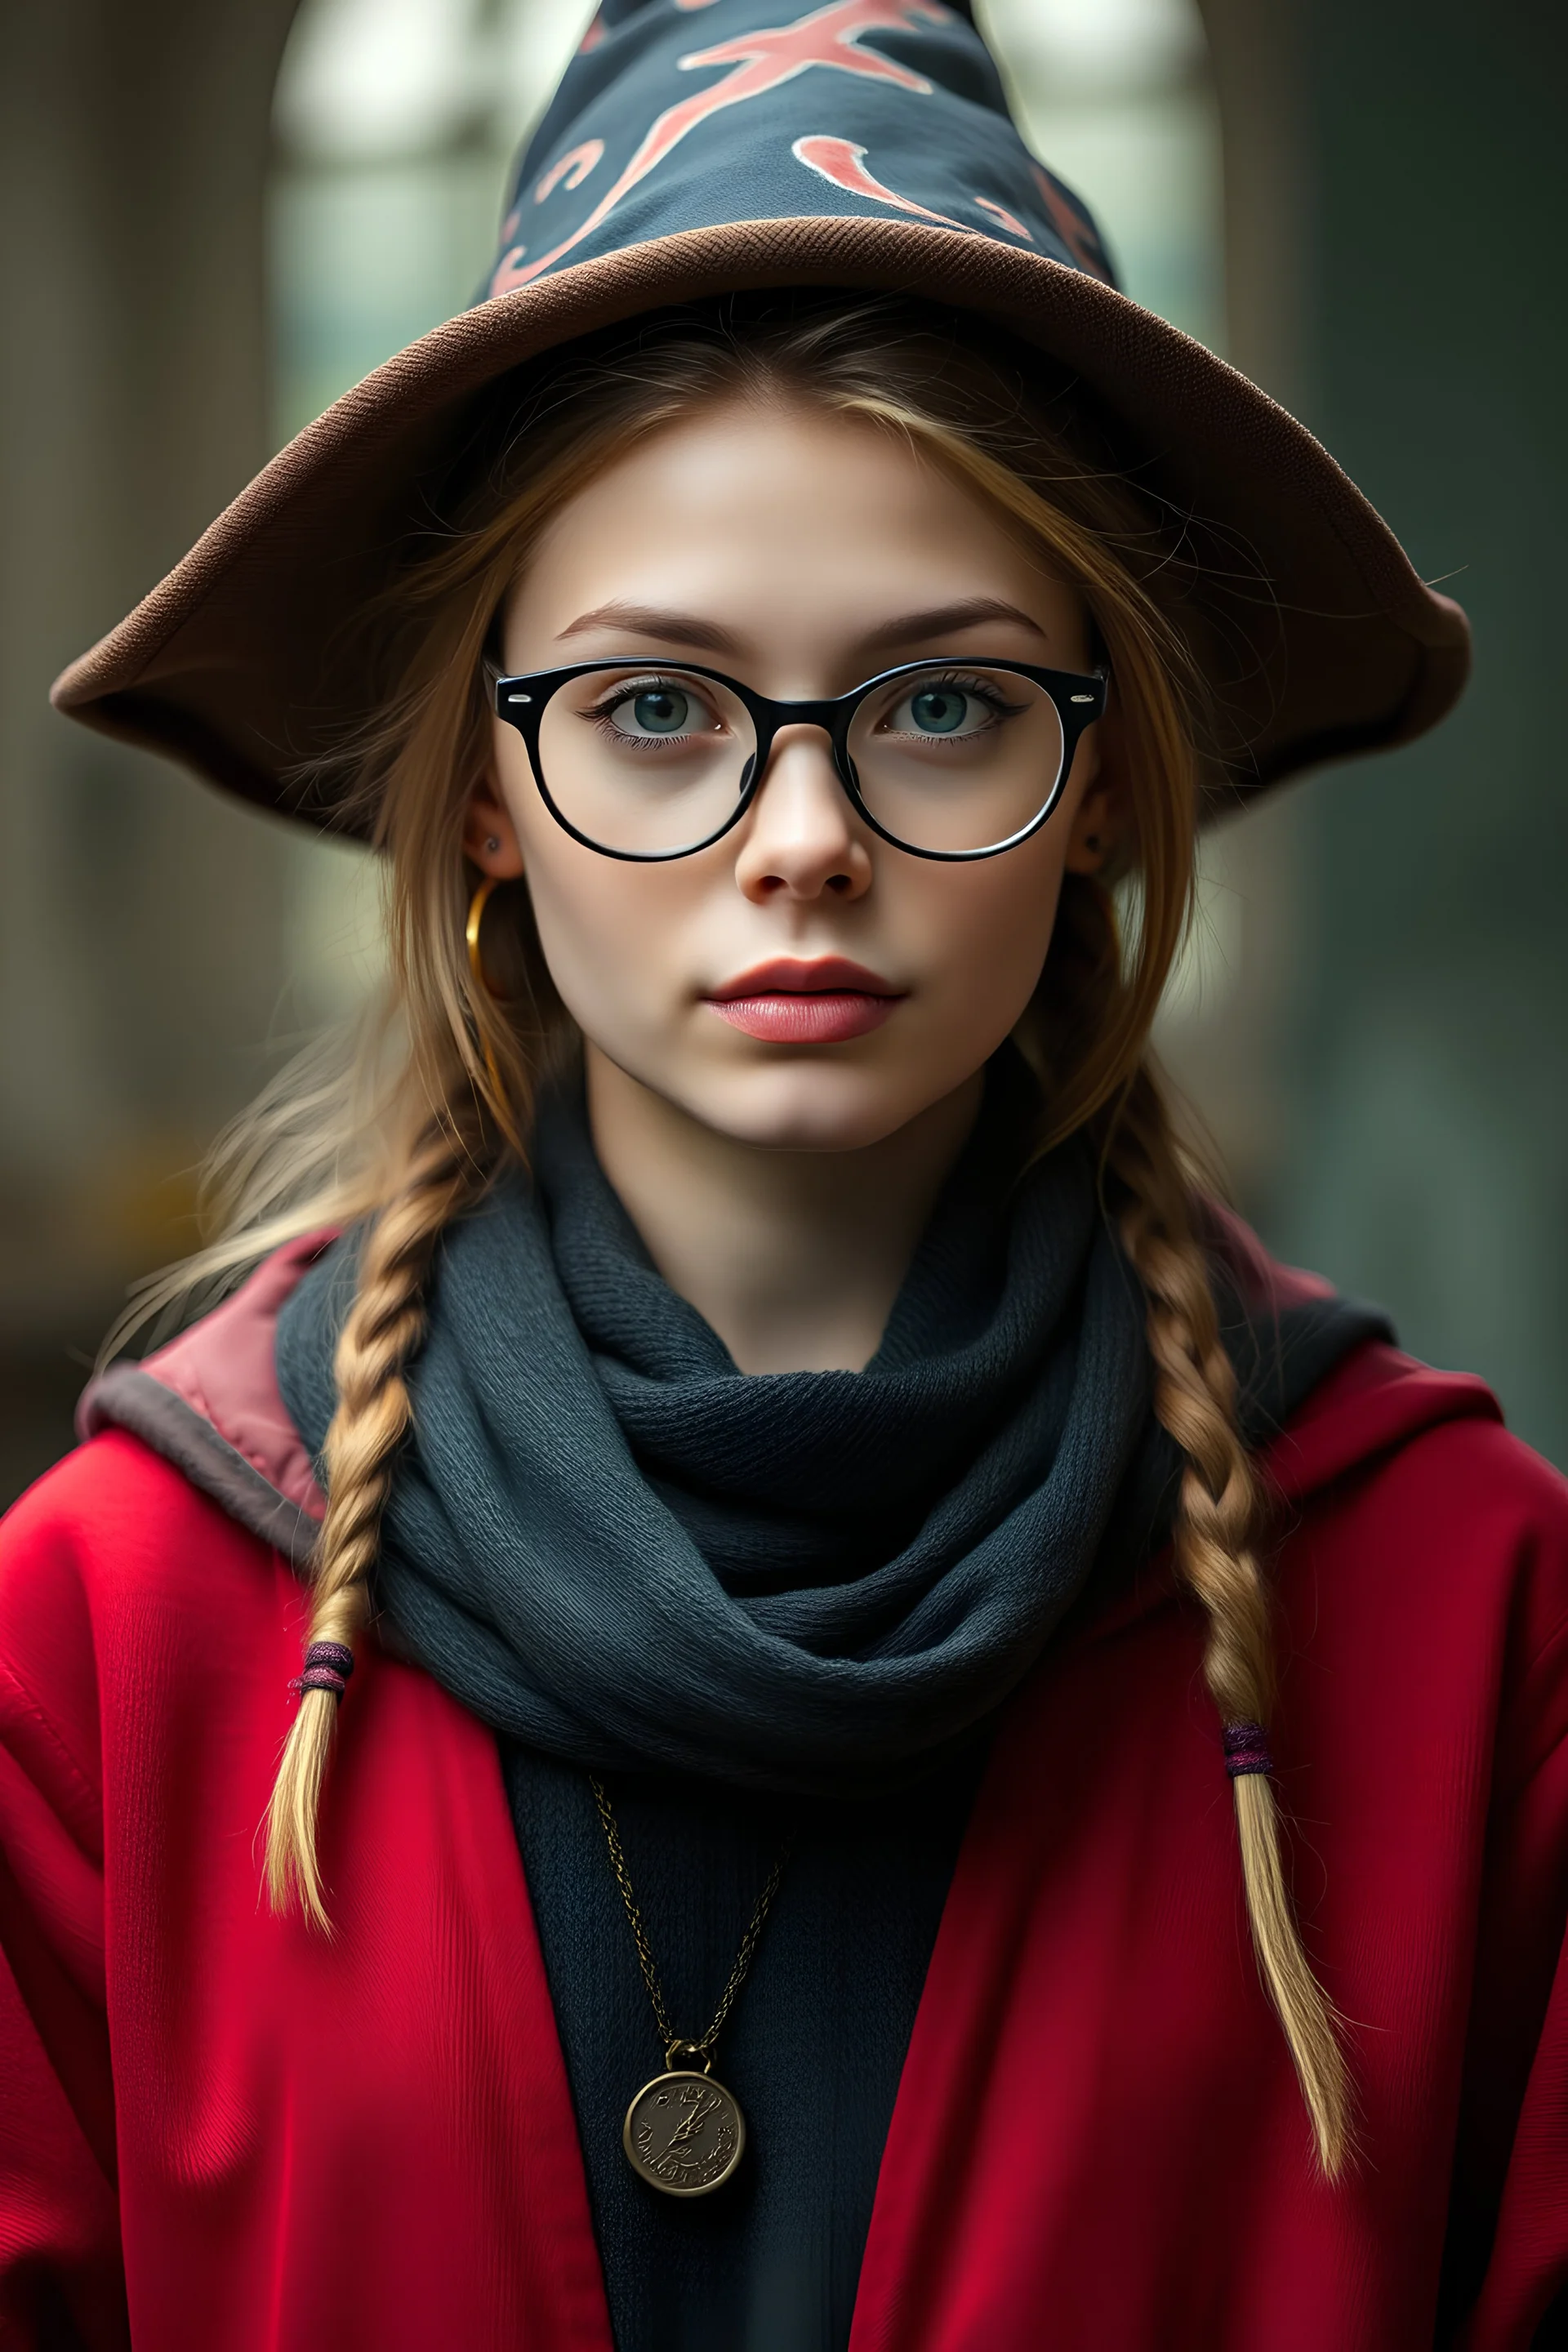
438,1095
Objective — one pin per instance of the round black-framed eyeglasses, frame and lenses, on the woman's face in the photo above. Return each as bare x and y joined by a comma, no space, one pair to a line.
655,761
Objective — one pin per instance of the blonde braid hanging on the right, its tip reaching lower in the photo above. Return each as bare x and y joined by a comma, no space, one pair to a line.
1217,1530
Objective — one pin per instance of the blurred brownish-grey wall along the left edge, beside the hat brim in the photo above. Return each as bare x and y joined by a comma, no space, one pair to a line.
140,918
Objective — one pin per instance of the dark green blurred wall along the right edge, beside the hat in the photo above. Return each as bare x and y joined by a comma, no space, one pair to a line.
1428,1161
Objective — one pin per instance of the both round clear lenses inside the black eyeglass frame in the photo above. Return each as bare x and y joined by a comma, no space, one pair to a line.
655,761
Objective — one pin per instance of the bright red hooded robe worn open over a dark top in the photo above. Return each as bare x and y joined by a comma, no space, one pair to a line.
227,2134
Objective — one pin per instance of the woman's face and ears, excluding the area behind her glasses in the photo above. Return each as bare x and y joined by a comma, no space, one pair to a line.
800,554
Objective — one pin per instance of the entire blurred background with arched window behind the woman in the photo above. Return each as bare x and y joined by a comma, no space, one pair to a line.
217,215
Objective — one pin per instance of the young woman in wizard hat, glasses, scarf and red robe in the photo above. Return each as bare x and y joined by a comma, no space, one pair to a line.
791,1497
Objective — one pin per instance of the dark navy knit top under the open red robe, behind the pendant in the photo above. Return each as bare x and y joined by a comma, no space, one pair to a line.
772,2259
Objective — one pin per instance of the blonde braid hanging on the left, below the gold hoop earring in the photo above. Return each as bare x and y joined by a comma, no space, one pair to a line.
382,1332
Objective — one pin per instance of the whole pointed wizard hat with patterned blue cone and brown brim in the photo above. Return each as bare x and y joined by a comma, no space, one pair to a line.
711,147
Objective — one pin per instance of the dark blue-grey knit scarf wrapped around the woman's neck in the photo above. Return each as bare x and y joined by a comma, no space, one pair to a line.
615,1546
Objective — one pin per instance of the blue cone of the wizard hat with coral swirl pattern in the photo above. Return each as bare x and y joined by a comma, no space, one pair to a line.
688,114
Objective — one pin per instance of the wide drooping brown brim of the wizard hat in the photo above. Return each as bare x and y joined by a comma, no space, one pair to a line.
1329,641
